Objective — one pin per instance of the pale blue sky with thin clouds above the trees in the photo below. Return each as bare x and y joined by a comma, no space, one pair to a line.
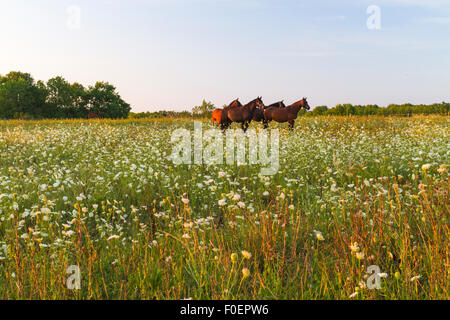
172,54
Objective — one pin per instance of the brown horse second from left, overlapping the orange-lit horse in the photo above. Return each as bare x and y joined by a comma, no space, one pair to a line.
241,114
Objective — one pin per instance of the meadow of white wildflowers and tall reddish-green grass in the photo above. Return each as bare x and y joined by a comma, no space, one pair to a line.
104,196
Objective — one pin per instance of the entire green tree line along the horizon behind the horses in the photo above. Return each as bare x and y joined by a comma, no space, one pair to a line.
21,97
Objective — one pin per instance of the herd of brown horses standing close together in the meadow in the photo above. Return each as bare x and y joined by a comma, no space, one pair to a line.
255,110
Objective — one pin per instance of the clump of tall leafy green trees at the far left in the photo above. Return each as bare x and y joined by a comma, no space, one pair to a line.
21,97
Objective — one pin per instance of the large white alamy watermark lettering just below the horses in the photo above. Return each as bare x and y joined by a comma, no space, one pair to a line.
212,147
